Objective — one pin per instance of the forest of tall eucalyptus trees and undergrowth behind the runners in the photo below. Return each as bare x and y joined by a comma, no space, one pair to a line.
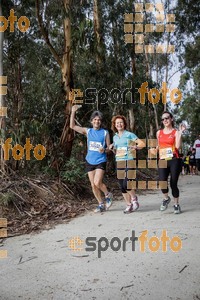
79,45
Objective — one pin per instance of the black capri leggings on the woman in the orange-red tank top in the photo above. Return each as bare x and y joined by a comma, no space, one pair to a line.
174,169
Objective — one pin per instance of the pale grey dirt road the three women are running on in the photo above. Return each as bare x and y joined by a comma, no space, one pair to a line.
44,267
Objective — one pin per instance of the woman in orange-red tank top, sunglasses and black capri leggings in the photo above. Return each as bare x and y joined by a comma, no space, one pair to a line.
169,142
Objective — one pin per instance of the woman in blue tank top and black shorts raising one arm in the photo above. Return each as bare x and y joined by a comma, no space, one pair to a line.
98,140
